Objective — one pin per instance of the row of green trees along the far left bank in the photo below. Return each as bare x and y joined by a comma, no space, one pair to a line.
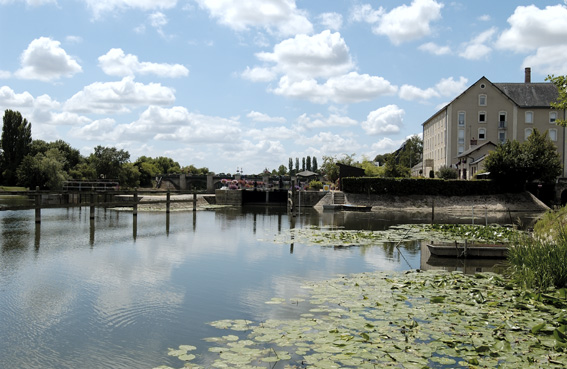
47,165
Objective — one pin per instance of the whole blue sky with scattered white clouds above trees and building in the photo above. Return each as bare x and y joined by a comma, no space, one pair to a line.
247,84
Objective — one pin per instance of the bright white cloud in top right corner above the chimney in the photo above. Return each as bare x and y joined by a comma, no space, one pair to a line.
532,28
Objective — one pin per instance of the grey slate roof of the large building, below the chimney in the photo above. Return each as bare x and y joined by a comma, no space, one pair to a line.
530,95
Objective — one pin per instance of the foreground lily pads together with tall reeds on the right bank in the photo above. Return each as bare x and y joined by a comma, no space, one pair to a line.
414,319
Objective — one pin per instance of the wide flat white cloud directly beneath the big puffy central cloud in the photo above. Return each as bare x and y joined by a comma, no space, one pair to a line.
349,88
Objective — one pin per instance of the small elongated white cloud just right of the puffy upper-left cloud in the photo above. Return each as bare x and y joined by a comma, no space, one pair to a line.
116,63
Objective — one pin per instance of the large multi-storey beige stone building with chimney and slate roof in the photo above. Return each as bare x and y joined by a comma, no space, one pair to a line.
490,113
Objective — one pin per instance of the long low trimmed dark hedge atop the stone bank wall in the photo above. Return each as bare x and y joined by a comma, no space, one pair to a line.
425,186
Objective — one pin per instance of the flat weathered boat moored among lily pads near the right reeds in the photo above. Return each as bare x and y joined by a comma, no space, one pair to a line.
468,250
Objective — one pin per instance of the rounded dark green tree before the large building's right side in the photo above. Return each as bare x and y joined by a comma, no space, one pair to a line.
536,159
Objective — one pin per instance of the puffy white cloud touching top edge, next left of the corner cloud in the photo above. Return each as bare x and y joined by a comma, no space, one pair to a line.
401,24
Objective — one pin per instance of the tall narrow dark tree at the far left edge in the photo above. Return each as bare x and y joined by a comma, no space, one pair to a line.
15,143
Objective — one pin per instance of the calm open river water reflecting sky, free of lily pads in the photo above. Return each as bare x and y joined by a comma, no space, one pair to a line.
114,293
